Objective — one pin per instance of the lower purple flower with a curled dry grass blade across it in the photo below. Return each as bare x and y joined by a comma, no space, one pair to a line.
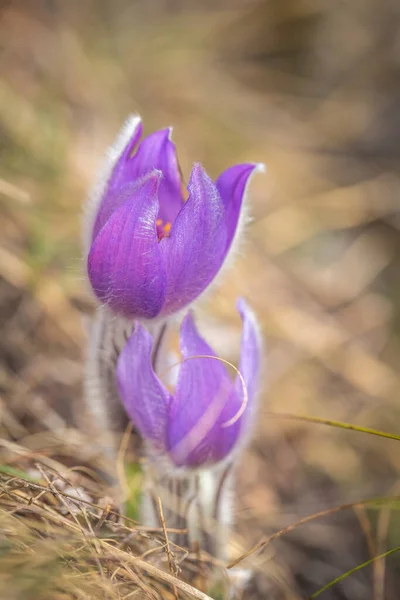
208,415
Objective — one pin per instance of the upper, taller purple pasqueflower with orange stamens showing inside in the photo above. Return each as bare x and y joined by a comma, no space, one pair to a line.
150,250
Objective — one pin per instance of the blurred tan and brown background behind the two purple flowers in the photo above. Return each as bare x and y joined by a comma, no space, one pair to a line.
312,89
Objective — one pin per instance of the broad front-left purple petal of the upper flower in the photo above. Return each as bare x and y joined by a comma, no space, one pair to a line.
124,263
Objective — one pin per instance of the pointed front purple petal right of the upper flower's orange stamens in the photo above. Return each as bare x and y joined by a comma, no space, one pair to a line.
195,249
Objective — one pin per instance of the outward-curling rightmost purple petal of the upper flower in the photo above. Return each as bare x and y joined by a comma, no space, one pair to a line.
231,185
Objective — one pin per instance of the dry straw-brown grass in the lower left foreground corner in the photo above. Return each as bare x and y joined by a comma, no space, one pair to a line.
62,537
